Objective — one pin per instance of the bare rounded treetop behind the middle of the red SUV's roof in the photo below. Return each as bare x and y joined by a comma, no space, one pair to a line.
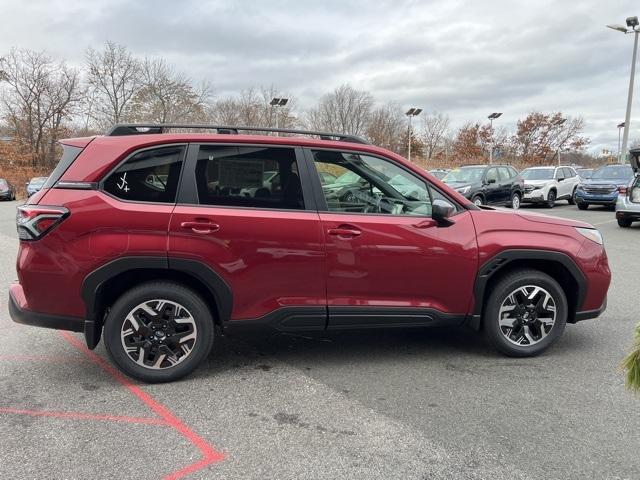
345,110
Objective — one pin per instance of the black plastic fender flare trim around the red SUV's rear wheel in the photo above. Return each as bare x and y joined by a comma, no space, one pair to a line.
94,281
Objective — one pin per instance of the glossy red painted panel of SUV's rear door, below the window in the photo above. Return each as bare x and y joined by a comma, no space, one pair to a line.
269,258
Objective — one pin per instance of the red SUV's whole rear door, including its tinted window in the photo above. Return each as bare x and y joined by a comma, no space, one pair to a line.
259,233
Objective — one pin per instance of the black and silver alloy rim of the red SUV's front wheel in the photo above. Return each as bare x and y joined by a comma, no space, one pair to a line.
527,315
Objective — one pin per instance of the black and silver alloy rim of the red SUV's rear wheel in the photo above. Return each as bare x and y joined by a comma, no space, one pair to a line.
158,334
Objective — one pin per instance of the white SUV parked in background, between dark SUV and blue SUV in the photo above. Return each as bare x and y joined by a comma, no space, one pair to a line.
546,185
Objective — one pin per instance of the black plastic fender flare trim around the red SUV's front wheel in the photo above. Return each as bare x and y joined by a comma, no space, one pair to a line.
502,259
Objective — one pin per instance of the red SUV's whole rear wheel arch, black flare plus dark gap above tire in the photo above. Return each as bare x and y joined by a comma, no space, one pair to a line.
105,284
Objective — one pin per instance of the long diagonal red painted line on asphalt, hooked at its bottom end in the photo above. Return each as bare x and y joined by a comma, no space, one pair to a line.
210,454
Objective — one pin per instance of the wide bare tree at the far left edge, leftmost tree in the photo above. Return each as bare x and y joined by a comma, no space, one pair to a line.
39,95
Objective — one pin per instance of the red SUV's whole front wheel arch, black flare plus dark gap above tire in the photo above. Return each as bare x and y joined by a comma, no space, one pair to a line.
561,267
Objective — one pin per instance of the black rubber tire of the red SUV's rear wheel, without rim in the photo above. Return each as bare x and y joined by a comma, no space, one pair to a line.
147,292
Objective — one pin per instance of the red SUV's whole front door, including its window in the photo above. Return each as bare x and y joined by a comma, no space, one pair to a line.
387,260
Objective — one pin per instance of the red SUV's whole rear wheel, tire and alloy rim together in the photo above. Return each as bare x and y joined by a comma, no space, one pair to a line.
159,332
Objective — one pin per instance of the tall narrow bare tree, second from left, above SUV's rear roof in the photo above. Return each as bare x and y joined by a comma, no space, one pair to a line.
113,75
